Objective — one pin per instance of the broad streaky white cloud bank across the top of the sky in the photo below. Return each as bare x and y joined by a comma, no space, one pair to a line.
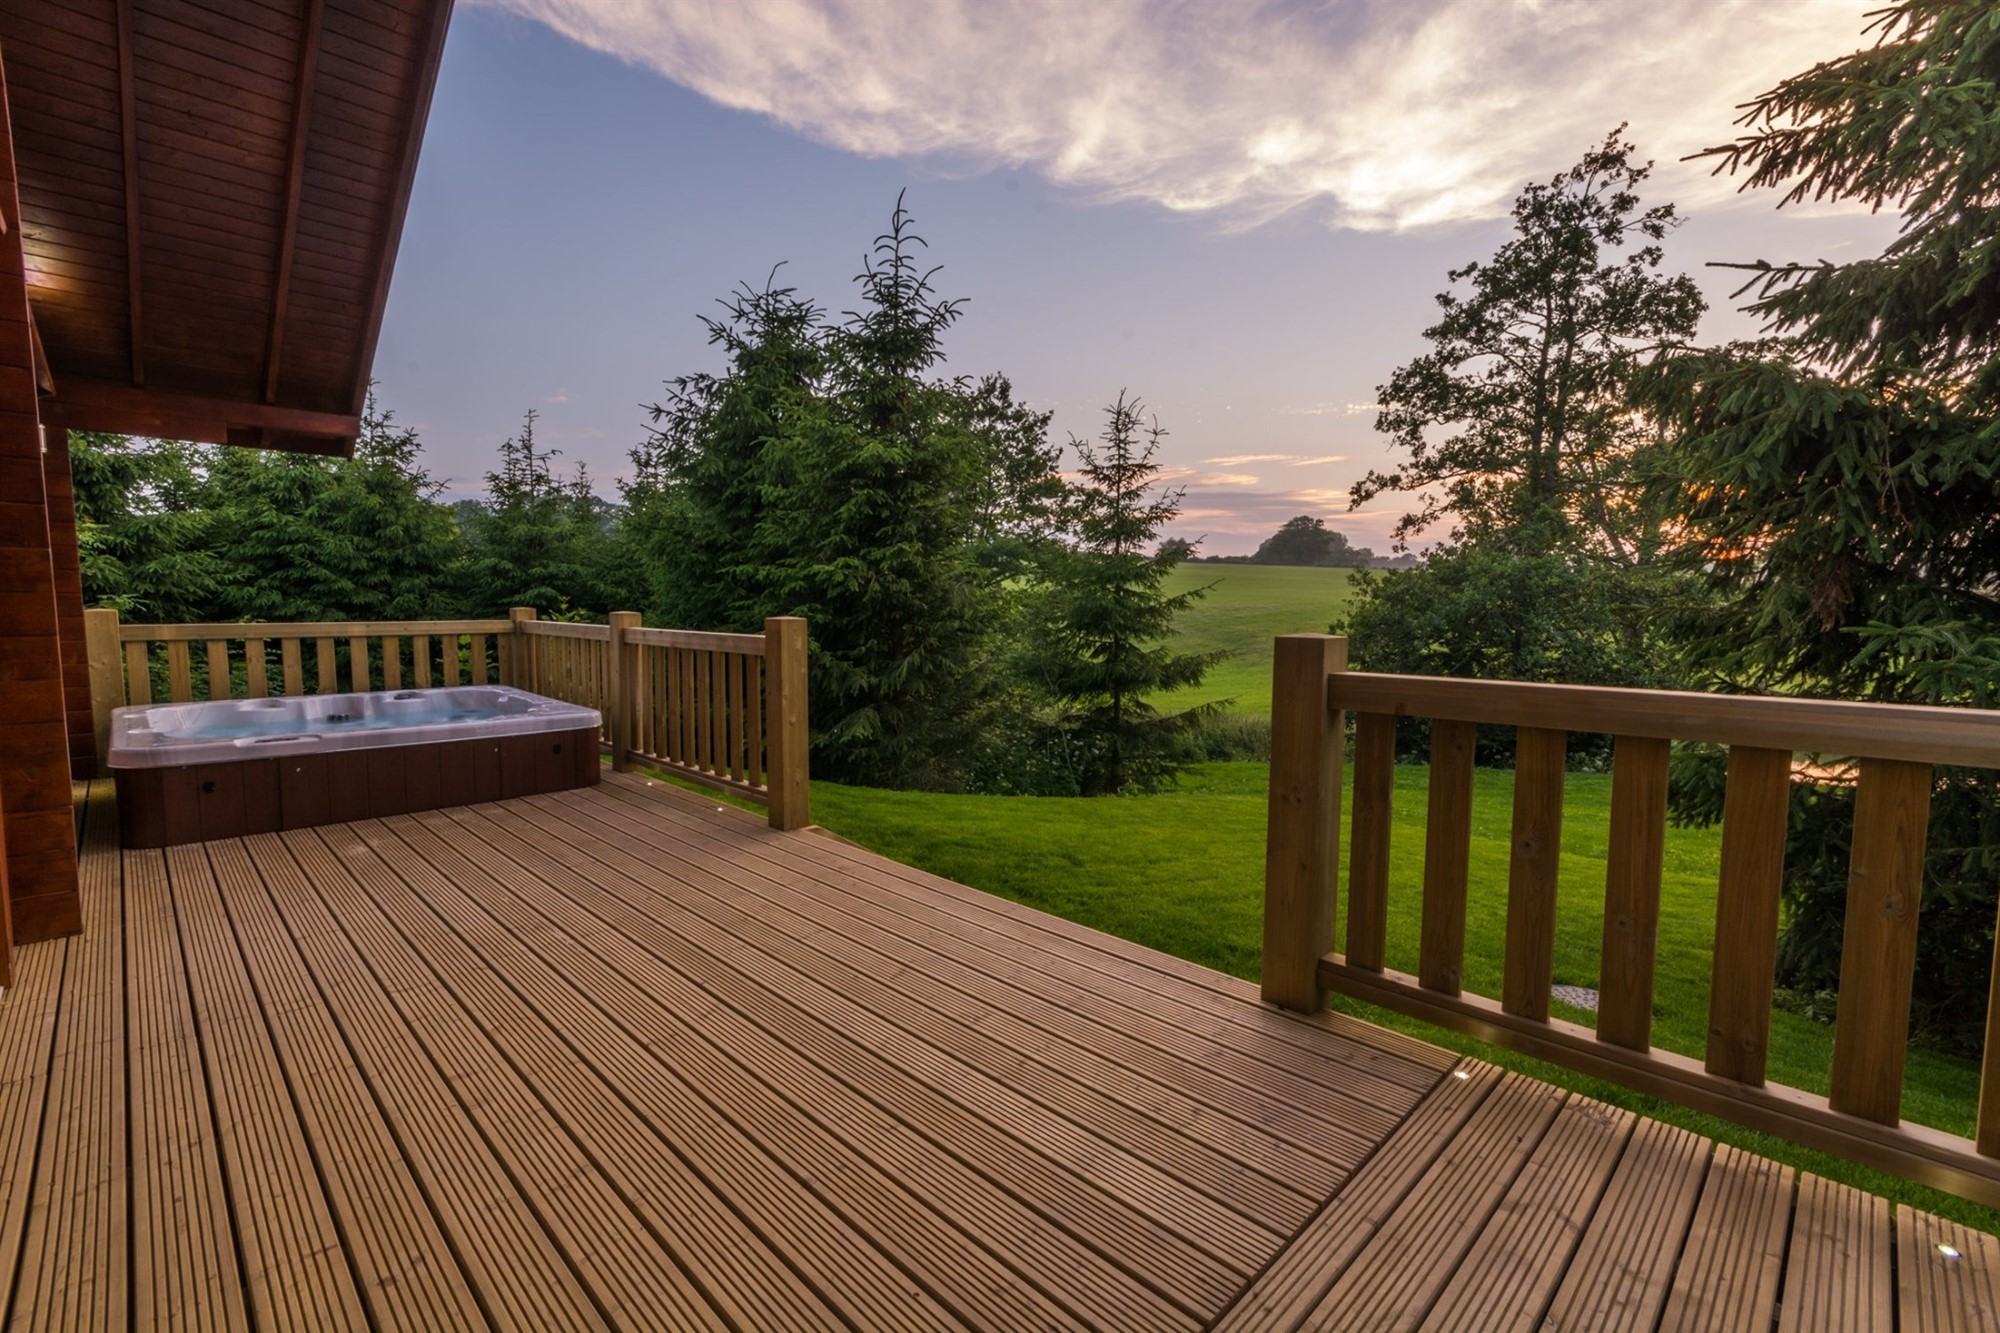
1377,115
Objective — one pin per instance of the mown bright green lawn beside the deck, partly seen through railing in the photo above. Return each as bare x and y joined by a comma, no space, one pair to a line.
1129,868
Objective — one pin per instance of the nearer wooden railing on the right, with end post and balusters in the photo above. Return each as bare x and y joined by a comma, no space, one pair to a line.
1895,750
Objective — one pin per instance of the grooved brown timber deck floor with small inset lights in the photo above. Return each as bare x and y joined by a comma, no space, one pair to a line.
615,1058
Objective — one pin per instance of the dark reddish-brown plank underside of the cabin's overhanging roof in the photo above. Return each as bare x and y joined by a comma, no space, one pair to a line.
211,201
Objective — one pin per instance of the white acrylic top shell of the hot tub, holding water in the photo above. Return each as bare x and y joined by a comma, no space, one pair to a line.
225,730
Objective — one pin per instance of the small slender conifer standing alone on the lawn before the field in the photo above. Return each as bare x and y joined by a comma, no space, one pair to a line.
1107,651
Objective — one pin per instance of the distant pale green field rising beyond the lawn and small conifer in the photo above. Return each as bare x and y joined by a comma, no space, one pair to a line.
1243,613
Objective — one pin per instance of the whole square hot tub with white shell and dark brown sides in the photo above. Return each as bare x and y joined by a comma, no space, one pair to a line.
199,772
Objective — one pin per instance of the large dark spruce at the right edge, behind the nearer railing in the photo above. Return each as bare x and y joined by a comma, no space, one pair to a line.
1837,481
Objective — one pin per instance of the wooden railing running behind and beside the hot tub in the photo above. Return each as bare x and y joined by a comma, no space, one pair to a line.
725,712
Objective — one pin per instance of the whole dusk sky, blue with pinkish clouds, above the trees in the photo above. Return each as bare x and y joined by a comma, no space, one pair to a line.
1239,213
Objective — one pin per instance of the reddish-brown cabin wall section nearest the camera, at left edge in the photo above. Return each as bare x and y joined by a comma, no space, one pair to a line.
35,748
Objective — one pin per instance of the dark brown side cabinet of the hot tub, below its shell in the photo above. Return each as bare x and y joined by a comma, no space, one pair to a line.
199,804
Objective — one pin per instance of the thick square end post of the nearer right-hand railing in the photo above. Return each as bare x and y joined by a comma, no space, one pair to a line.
1303,828
